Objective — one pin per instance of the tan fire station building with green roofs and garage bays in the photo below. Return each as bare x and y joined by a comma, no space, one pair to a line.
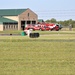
16,19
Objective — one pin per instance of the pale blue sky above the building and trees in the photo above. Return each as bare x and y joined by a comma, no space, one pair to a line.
45,9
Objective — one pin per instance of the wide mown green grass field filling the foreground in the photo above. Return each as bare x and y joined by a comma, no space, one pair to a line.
50,54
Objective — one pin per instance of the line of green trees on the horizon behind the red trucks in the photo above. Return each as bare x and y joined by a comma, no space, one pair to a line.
65,23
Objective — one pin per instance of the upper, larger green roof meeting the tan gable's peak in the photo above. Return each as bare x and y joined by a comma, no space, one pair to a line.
11,12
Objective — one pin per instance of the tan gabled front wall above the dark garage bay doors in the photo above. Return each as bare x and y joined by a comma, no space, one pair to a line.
28,15
